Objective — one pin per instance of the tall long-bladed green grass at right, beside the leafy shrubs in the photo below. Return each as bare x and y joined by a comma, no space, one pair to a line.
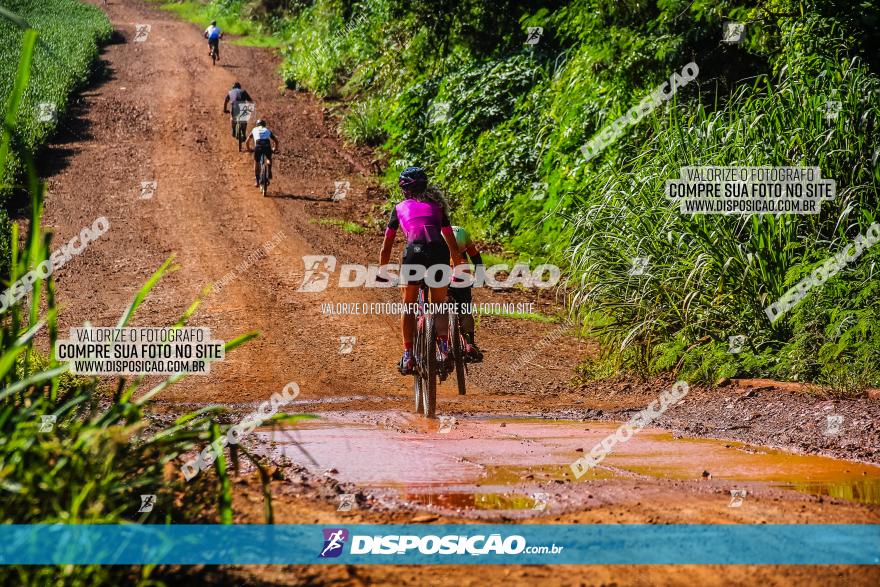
712,276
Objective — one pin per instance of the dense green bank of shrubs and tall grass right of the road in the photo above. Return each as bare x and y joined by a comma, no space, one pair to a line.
455,87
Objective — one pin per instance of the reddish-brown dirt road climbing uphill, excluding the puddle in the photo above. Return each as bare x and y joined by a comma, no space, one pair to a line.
157,117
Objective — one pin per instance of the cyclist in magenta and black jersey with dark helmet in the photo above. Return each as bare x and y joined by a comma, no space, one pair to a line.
429,242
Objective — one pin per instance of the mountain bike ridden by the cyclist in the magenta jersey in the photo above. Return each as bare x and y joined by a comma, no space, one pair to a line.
427,369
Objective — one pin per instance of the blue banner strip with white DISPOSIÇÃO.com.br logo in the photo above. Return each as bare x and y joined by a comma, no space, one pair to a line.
586,544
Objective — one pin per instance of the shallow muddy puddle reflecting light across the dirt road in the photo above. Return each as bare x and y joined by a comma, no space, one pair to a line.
512,464
